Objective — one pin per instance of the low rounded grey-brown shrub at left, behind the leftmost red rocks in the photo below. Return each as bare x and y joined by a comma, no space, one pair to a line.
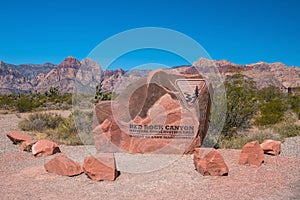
41,121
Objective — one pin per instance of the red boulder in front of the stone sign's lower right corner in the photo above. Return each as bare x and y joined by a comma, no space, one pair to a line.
210,164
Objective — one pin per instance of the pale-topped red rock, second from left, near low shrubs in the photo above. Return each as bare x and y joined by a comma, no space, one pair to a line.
45,148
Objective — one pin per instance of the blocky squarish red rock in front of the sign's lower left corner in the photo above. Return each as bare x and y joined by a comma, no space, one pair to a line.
100,167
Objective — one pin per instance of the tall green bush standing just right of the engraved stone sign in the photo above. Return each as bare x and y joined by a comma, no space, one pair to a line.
242,104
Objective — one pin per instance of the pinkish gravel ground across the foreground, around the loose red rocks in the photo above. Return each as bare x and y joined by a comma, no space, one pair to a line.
24,177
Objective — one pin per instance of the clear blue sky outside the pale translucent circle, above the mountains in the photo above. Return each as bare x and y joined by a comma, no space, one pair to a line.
240,31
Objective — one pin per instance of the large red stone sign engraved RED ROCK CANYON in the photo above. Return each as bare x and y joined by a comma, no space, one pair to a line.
166,112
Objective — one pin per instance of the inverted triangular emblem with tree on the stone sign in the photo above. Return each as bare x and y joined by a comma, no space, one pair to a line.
190,90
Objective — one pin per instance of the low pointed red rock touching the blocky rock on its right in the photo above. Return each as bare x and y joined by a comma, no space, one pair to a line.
62,165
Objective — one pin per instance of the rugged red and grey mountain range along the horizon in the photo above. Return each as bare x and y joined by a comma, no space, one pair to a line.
40,77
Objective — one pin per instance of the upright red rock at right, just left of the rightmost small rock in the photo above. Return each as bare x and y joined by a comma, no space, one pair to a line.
252,154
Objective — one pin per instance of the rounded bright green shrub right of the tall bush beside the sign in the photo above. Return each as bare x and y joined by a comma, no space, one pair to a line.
271,112
